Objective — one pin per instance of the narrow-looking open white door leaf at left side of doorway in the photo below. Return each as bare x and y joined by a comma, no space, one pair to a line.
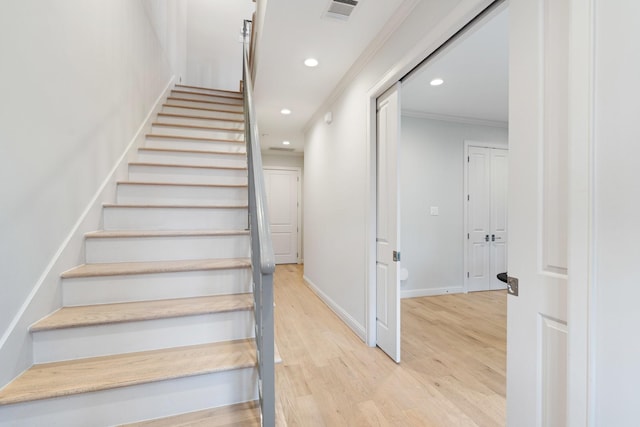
388,224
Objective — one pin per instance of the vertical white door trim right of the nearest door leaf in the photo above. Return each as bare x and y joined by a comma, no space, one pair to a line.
581,285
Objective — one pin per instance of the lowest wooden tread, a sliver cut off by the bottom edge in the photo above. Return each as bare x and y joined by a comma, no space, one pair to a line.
245,414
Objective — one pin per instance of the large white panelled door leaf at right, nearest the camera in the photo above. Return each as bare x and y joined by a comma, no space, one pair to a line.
538,117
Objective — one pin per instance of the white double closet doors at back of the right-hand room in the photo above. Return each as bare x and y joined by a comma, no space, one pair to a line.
486,217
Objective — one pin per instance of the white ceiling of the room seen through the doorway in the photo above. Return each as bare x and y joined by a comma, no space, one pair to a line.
475,73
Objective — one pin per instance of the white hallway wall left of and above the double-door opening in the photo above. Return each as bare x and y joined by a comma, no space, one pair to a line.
337,168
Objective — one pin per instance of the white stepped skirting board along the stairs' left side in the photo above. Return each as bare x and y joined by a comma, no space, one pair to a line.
16,347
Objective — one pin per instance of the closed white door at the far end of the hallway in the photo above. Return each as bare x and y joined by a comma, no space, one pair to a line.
282,197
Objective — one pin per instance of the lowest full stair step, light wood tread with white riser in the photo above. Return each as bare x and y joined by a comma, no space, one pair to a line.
128,388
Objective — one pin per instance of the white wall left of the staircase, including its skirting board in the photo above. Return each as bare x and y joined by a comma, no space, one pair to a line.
78,80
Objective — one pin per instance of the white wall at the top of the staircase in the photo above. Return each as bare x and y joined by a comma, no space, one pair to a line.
214,52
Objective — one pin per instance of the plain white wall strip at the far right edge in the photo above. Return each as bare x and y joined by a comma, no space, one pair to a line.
615,316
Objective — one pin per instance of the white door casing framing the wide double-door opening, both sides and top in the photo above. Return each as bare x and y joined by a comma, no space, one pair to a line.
581,242
